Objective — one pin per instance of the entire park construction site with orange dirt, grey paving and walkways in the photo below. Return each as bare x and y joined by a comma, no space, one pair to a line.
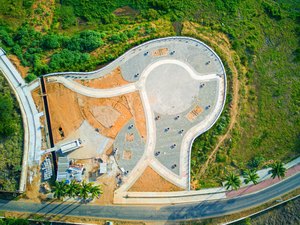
129,126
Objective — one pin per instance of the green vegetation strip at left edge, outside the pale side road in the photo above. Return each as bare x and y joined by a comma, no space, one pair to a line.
11,138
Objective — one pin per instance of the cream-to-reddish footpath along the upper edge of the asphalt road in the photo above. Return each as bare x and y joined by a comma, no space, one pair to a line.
264,180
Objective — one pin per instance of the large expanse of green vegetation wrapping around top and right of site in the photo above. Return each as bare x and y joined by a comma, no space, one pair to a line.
264,35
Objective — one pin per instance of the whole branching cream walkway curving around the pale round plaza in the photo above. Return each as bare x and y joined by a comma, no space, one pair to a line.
148,159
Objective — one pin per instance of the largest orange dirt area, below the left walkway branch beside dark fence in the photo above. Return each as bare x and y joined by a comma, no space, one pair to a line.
68,110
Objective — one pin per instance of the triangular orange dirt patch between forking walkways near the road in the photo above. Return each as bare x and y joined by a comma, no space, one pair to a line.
151,181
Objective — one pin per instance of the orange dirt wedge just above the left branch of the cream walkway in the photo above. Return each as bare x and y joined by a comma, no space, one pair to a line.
111,80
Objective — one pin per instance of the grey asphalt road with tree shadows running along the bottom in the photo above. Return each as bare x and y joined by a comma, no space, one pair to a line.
175,212
